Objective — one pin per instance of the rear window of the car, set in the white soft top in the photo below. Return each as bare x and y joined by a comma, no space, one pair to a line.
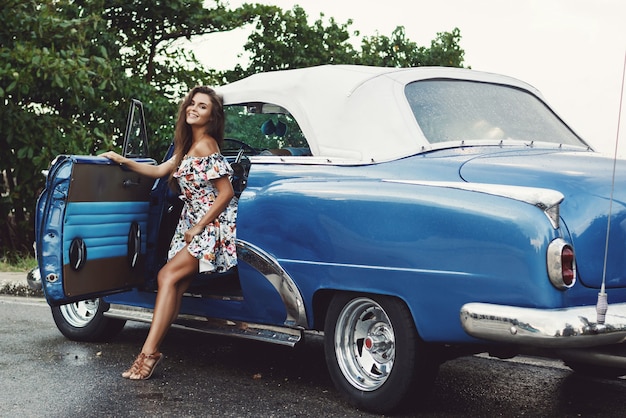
458,110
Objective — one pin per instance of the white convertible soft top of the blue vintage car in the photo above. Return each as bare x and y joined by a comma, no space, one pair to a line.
351,112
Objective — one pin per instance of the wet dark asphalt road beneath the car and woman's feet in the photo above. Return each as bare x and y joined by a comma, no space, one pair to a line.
43,374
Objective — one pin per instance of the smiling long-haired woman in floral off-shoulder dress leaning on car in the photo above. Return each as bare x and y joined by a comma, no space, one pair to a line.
205,236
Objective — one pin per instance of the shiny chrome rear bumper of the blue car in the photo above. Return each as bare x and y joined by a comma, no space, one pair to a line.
555,328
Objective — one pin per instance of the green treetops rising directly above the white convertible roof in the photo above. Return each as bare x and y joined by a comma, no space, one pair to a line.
284,39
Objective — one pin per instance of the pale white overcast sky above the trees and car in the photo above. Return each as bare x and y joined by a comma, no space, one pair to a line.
573,51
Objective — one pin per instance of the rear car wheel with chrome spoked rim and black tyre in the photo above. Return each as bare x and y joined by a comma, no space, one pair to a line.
374,355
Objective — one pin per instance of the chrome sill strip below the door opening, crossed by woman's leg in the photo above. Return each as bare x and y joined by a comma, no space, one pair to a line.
267,333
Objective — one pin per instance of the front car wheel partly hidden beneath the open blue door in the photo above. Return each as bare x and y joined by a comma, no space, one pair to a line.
85,321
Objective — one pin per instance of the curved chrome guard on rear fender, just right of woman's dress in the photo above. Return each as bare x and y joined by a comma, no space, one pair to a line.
269,267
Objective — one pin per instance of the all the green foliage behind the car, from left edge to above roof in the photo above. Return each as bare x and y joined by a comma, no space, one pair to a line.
69,67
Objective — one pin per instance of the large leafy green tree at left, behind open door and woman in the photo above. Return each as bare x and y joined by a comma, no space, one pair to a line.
67,70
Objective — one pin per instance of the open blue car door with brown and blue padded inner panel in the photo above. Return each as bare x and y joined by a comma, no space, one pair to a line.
92,220
